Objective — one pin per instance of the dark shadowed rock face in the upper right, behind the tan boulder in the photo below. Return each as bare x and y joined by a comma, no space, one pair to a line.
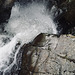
66,18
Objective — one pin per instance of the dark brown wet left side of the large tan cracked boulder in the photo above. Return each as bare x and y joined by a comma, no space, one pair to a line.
26,66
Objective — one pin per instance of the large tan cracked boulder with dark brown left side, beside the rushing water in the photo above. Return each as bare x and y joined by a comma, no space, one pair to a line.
56,56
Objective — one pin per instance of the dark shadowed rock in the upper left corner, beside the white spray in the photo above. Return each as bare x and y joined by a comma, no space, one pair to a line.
5,11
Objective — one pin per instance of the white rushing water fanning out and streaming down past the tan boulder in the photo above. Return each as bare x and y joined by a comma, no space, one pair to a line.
25,23
